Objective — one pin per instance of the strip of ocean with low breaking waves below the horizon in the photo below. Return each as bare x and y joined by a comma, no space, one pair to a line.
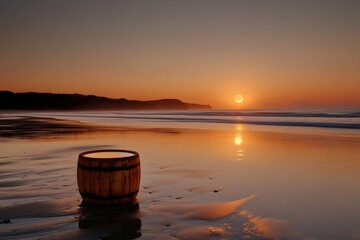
346,119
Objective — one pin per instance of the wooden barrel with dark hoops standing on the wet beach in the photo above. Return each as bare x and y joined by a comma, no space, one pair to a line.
108,176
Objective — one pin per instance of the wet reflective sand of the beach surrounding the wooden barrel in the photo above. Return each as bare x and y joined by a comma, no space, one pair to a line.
234,182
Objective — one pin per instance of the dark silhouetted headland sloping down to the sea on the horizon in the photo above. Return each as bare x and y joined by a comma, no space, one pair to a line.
51,101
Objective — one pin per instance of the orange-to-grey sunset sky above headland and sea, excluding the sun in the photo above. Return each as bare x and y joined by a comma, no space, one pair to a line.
277,54
